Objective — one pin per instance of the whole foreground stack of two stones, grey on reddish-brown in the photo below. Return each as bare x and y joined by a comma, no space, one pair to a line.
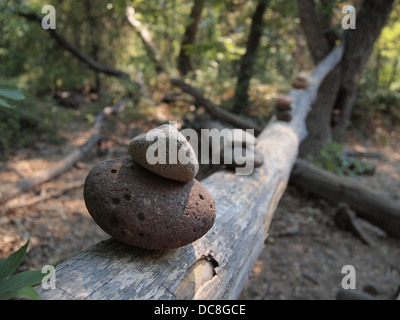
147,204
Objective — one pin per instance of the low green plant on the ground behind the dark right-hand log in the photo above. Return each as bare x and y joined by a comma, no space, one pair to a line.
333,158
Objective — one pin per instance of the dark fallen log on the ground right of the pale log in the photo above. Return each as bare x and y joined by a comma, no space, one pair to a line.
372,206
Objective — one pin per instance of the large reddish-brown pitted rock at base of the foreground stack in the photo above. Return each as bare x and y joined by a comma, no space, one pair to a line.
146,210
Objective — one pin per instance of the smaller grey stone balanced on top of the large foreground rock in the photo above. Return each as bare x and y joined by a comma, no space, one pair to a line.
166,152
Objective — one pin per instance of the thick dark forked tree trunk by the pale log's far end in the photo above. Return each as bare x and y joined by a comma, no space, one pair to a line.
331,111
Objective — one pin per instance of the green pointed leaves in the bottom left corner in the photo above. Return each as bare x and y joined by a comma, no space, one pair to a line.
20,284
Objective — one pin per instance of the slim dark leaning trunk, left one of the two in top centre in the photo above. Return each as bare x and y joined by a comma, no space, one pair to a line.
184,65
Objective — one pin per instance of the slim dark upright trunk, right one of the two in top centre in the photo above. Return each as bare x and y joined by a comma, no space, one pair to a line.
241,96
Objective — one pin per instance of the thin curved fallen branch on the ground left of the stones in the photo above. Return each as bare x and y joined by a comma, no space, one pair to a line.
65,164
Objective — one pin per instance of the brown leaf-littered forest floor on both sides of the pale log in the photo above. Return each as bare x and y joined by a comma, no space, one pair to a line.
303,256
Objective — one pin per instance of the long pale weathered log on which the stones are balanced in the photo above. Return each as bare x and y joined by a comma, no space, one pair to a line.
217,265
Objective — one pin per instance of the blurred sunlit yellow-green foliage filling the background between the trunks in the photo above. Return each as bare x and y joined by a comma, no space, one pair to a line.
100,30
